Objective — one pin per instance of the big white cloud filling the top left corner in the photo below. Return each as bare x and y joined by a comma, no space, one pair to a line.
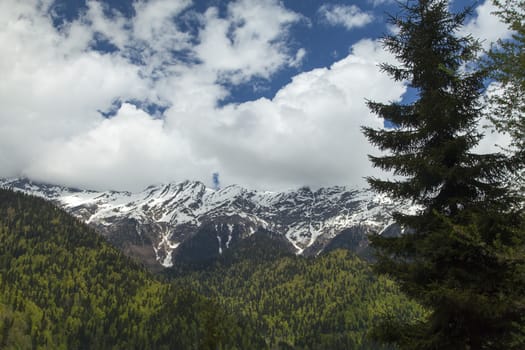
51,87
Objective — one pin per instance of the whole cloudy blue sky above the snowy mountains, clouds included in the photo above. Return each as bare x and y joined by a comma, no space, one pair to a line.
266,94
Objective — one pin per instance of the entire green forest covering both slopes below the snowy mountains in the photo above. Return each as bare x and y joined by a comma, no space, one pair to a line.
63,287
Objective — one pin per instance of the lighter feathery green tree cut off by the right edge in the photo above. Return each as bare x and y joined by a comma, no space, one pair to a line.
506,64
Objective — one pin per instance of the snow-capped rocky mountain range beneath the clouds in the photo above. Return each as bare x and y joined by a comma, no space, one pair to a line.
187,220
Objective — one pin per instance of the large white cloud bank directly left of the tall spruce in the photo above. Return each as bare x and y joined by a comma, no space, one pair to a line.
309,133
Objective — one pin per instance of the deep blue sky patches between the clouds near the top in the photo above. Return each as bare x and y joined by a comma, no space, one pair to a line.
324,42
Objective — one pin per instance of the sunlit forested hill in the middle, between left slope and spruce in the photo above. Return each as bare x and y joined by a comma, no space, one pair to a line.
328,302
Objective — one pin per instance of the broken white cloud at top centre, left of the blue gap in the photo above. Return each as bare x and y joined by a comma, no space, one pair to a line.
249,42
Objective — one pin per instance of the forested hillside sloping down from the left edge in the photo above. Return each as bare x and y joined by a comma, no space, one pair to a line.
63,287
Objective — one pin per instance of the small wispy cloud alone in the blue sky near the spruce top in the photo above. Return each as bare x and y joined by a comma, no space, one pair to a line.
349,16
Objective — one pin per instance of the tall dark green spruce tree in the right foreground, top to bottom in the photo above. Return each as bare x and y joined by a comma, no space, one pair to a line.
462,253
